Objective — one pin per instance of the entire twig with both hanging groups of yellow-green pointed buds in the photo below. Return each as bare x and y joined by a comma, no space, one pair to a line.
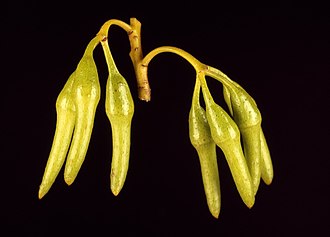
249,160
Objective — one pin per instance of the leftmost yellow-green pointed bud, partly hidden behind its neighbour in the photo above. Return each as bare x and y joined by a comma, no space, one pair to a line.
66,114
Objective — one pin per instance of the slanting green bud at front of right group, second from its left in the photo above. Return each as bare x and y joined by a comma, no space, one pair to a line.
226,135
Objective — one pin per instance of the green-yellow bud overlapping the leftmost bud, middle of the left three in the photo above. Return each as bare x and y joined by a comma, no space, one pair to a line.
86,95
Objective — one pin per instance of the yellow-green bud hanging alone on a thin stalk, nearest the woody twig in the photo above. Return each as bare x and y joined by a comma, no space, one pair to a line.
120,109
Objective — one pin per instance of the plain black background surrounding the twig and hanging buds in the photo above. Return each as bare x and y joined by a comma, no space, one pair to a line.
279,54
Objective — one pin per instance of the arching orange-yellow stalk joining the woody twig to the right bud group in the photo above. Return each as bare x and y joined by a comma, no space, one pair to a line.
169,49
